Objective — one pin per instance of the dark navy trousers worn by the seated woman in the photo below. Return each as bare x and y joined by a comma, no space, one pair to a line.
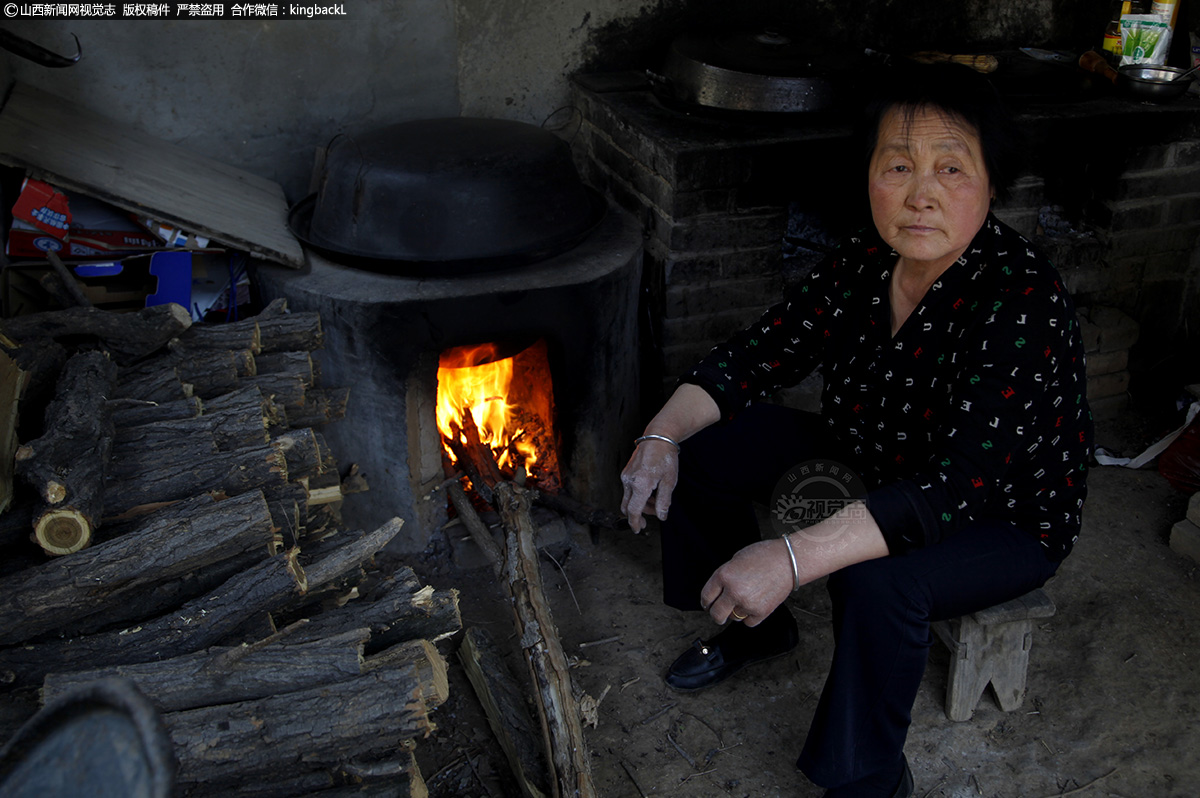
883,609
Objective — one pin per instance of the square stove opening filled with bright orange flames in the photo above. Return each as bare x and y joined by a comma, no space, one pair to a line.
508,392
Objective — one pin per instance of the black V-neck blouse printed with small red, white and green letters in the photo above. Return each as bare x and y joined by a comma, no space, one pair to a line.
975,410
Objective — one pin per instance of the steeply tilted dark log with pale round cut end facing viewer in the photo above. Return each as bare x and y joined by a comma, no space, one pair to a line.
67,466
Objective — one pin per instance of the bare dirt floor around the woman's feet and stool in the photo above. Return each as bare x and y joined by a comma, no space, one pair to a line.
1111,707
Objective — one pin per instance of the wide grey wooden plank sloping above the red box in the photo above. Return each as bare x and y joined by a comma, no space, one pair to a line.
80,151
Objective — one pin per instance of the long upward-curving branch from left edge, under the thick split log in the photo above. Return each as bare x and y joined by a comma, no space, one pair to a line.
199,625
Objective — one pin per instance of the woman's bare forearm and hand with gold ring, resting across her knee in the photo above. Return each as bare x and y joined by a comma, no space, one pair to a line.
760,577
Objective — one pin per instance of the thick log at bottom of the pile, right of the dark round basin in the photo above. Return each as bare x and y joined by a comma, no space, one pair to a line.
374,713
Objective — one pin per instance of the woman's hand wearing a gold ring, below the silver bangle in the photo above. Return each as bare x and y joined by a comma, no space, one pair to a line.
753,584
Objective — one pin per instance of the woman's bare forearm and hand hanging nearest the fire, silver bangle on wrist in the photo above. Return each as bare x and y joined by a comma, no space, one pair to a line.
653,470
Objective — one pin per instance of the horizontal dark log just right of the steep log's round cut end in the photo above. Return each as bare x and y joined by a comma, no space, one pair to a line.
135,483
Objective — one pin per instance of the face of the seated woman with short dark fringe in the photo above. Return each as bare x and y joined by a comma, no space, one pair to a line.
929,188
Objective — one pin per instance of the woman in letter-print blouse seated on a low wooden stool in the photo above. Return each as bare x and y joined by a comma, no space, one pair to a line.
953,387
